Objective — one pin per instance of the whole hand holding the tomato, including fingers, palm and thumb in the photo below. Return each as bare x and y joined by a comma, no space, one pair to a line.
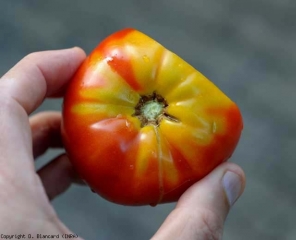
25,194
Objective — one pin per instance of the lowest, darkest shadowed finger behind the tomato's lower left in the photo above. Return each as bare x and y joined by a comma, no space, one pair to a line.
57,176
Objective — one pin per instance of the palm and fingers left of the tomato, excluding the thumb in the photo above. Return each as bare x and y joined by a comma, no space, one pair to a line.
24,197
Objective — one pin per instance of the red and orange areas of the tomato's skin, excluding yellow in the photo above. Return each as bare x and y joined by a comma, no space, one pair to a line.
104,149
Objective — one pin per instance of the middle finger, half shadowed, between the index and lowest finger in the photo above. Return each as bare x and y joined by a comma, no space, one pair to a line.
45,127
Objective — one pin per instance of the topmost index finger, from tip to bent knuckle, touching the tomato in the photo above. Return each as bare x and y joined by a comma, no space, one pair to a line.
40,75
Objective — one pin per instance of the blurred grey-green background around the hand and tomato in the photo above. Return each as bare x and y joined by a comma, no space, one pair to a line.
247,48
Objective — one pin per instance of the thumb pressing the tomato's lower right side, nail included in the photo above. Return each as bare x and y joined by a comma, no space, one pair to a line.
201,211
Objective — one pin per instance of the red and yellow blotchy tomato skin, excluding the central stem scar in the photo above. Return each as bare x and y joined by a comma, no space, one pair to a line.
125,161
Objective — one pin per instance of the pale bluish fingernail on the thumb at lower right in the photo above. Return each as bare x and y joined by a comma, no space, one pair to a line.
232,186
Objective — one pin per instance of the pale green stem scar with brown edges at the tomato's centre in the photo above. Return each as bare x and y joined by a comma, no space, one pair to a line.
151,109
